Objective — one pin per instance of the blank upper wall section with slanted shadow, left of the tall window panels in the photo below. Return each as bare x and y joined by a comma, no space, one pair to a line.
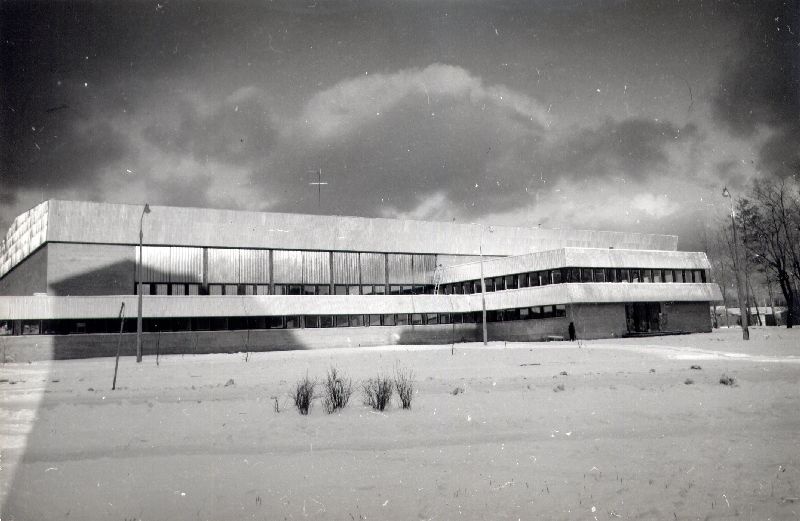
90,269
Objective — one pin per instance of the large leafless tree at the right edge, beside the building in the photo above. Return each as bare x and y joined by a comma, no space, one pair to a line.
770,225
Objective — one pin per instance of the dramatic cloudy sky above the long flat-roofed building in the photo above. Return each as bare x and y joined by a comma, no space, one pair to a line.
615,115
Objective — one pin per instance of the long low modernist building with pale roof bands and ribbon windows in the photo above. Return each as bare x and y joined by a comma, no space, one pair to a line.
220,280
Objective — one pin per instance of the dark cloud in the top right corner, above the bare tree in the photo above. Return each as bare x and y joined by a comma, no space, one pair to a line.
761,87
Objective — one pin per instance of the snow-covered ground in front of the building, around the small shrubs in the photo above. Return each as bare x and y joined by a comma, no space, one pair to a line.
627,437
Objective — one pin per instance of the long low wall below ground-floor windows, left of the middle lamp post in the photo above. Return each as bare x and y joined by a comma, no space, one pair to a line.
52,347
